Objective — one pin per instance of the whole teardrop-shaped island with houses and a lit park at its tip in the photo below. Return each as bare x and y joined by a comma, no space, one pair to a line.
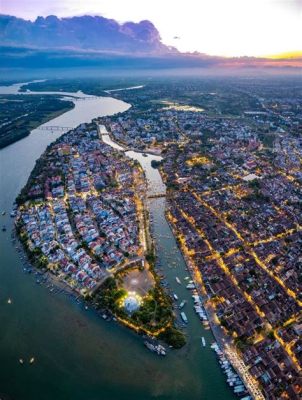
82,216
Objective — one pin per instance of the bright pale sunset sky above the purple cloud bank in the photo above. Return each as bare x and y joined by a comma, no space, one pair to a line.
215,27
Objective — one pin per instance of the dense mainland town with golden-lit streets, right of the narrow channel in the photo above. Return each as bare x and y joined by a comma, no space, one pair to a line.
235,205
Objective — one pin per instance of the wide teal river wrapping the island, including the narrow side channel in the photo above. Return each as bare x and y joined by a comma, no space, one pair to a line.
78,355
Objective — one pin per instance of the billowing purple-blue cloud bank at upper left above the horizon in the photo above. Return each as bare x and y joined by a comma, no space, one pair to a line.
85,33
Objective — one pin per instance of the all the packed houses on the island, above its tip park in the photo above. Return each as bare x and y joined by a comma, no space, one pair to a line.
82,222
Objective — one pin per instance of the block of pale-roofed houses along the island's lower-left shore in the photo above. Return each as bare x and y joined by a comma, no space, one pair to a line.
51,238
